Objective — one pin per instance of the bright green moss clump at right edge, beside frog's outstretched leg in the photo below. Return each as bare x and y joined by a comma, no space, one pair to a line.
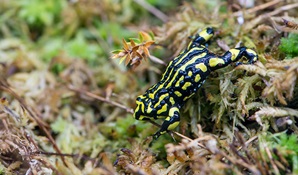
289,45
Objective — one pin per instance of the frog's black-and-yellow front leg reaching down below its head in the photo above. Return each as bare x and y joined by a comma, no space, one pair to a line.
170,123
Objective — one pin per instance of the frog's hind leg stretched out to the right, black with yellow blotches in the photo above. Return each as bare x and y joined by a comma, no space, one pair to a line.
233,55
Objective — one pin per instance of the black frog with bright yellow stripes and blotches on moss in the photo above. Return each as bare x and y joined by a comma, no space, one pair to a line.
183,76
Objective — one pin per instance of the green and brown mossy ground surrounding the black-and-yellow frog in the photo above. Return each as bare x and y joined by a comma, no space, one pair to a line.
66,106
